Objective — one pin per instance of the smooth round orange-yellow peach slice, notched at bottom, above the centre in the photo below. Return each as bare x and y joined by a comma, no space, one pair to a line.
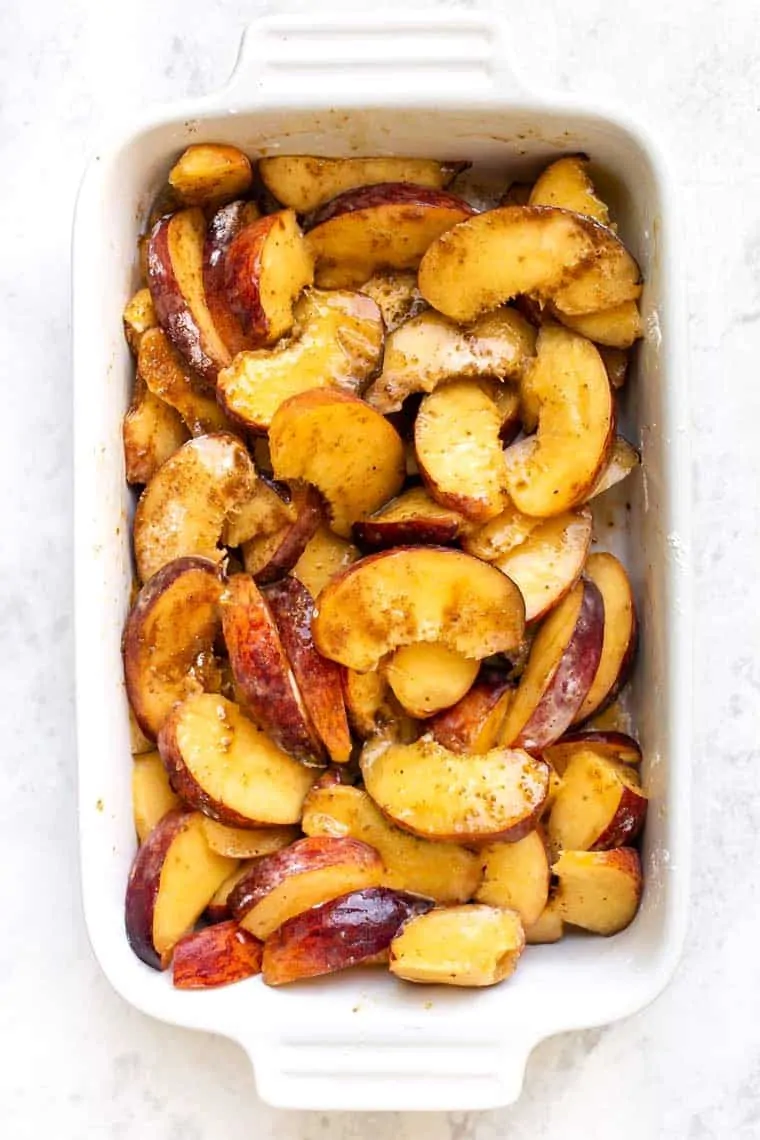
341,446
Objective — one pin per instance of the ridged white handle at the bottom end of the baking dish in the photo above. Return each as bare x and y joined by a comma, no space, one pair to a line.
399,1076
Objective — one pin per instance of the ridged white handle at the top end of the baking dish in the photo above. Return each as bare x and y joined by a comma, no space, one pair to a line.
292,60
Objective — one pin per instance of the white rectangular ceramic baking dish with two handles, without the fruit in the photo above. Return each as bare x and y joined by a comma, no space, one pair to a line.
434,86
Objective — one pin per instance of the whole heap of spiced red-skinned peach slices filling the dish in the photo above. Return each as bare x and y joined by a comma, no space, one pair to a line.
370,636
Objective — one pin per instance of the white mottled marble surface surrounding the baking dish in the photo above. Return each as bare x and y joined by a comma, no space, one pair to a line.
76,1061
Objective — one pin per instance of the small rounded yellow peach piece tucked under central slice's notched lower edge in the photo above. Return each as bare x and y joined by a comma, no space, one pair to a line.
428,677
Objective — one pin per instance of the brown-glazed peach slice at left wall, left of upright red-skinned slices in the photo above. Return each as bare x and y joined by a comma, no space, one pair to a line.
169,640
